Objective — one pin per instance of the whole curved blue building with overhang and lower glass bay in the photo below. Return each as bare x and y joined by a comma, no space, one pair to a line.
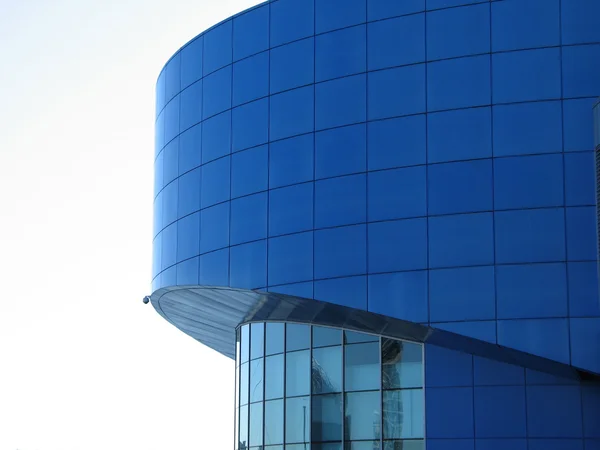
385,211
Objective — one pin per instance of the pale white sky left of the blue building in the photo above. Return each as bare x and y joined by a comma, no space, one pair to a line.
84,364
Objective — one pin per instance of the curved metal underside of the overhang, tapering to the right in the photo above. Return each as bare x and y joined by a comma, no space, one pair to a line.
211,315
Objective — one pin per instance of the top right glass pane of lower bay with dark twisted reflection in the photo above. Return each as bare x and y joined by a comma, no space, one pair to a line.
402,364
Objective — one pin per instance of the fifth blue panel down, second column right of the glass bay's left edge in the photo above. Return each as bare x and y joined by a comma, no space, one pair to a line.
291,209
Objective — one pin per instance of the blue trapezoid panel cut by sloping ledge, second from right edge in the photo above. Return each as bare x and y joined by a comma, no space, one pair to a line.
548,338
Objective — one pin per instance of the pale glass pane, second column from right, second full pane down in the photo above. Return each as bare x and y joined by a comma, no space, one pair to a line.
363,414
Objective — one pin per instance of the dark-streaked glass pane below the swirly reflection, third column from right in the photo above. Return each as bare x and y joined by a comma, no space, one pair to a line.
326,418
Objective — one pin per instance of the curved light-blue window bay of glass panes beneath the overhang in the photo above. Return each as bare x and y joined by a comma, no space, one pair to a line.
303,386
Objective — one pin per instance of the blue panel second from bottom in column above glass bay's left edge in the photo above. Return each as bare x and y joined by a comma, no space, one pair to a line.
248,219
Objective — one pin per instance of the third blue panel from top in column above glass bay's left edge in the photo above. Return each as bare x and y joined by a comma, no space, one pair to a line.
251,125
